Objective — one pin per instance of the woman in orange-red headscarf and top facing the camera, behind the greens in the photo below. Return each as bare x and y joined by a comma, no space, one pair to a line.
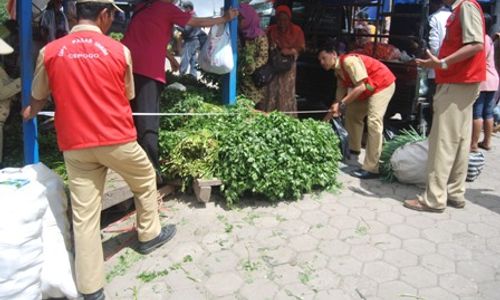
288,38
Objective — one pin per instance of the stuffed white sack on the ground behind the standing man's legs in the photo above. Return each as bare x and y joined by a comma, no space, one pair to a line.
409,163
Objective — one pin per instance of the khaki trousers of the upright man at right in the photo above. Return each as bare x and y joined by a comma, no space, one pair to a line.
449,143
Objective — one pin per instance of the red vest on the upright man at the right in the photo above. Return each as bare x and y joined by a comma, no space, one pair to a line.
471,70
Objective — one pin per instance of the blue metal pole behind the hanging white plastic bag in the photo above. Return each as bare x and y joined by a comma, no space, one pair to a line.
229,81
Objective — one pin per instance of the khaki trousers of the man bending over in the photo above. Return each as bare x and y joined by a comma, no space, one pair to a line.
374,109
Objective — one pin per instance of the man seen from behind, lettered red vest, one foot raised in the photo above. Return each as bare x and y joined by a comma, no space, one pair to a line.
90,78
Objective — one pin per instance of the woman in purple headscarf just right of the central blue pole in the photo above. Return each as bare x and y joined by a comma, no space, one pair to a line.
253,51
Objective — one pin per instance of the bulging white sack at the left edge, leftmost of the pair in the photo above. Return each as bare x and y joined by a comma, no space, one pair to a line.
22,206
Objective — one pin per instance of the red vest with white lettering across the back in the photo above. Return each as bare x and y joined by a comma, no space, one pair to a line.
86,73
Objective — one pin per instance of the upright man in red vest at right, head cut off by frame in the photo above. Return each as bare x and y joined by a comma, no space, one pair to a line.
460,67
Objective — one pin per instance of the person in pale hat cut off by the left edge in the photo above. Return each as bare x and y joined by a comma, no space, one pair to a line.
8,88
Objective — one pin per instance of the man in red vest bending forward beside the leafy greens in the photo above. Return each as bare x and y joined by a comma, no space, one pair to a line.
365,87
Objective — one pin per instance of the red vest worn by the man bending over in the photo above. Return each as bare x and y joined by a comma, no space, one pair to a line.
379,75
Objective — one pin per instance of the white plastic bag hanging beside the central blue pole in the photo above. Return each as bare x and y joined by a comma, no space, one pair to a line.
216,55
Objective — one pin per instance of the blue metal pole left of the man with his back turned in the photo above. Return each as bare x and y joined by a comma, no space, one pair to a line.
24,15
